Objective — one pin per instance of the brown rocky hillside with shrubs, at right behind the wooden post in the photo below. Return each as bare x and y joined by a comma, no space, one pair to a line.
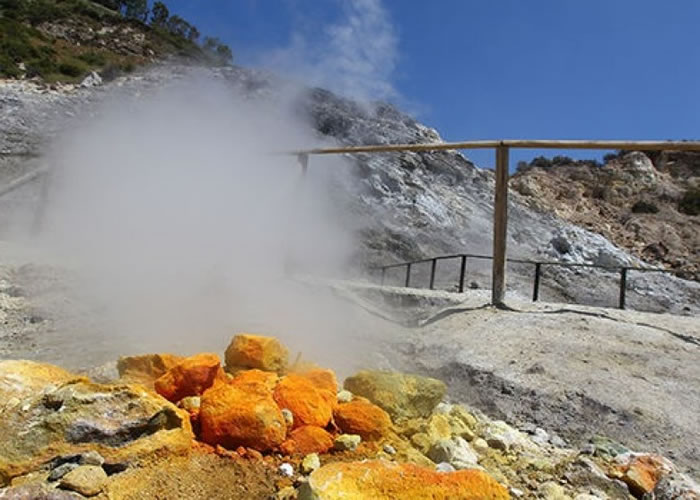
648,204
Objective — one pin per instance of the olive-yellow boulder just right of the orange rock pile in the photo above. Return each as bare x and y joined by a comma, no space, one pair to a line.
400,395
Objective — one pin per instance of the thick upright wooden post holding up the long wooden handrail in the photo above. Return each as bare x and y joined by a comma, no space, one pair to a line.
500,227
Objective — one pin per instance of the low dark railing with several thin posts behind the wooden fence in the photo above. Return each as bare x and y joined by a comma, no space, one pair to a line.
623,271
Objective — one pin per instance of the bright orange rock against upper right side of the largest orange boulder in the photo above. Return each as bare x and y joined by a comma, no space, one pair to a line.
308,405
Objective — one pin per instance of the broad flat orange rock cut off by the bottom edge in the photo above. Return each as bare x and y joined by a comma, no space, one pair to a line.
381,480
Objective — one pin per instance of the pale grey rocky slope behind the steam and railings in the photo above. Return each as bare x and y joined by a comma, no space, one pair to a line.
410,205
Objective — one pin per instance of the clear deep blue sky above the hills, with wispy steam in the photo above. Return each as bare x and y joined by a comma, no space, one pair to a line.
487,69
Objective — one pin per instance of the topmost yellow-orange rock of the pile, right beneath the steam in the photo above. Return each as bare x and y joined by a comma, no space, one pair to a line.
256,351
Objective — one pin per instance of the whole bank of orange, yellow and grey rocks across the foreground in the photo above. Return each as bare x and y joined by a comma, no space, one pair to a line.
260,427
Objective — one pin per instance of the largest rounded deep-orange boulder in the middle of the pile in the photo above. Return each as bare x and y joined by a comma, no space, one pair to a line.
232,416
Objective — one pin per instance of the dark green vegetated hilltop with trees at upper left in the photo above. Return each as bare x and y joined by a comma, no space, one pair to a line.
63,40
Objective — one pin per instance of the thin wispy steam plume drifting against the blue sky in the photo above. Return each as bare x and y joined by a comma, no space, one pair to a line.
355,57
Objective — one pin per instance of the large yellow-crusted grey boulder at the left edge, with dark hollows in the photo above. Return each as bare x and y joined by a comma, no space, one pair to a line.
122,423
